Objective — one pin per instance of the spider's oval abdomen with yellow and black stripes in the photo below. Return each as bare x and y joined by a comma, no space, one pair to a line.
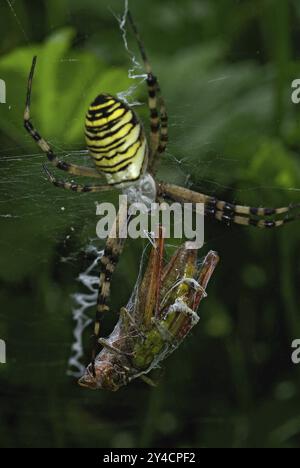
115,139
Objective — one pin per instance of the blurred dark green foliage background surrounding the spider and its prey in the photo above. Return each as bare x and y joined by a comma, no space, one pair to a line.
226,68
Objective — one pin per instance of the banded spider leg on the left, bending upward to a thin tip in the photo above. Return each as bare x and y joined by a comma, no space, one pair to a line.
45,147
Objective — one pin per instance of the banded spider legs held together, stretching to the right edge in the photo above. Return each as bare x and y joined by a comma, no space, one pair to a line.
227,212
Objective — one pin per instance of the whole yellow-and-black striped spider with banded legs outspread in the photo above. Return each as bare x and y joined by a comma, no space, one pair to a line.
126,158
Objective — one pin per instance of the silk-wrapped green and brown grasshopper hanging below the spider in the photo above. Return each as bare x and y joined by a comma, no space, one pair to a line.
160,315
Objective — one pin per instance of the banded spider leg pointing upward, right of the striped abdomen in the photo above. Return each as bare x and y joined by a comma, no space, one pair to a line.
158,112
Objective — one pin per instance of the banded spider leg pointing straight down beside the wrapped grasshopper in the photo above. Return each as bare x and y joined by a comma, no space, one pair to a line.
108,262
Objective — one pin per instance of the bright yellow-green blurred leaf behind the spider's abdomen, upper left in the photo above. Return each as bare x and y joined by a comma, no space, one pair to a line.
65,84
